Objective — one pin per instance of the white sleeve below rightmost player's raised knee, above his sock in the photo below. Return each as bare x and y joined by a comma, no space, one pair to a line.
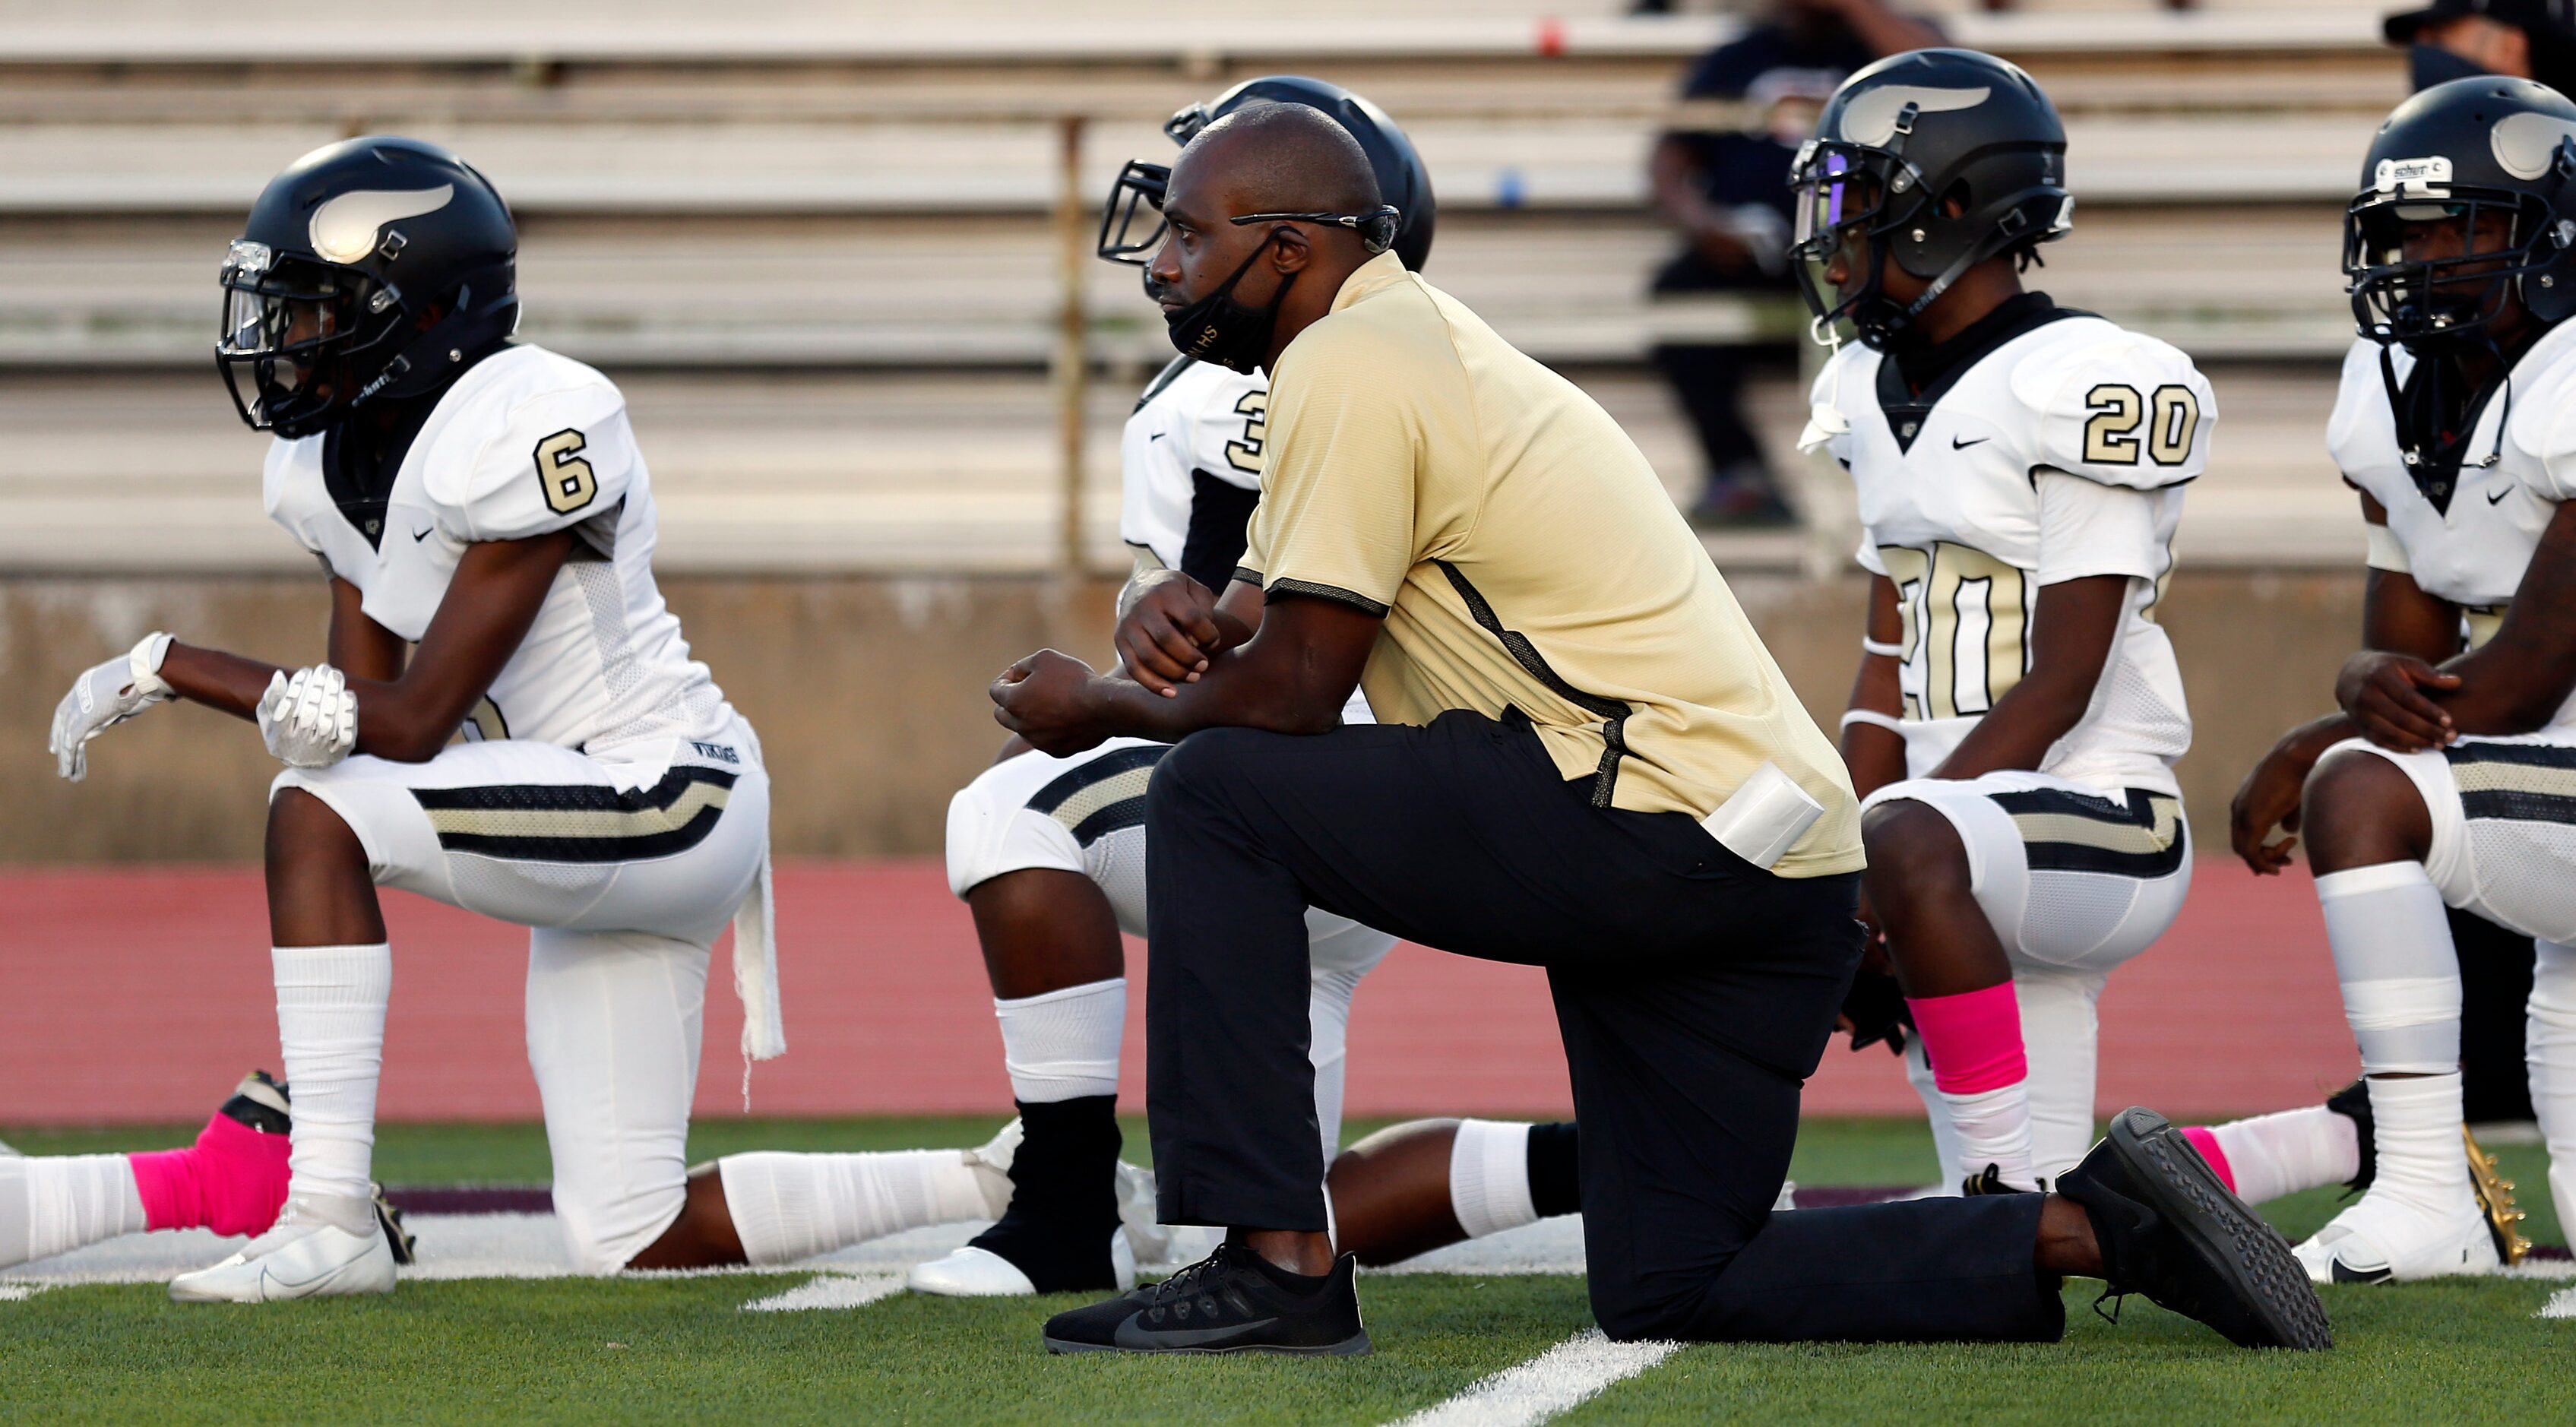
2400,972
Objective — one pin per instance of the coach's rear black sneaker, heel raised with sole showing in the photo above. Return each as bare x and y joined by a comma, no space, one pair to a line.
2170,1230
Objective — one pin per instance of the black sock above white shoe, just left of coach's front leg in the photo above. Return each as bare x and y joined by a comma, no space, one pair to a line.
1063,1196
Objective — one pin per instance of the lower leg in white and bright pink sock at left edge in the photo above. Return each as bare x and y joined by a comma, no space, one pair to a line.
231,1181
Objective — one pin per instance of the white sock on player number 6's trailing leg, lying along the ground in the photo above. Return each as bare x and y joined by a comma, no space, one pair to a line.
795,1207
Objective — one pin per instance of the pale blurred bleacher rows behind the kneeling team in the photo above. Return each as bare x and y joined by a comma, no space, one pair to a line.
820,249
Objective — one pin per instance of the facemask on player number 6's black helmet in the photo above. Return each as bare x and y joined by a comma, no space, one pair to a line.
292,334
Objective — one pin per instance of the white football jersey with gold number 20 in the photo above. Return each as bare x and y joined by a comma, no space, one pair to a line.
2054,457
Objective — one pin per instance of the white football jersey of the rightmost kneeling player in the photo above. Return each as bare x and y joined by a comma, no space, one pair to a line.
2474,550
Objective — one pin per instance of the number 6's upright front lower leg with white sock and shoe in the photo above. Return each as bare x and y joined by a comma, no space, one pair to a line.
334,975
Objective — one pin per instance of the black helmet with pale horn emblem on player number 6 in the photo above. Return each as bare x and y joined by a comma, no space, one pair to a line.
341,261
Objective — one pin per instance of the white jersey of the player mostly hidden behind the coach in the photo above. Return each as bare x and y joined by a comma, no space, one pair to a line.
1191,473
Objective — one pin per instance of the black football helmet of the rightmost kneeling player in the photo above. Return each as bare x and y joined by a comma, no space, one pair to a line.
2495,158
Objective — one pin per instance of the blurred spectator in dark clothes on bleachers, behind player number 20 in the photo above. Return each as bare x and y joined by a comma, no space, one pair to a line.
1722,179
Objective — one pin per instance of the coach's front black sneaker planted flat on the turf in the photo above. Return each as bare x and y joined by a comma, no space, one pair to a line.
1230,1302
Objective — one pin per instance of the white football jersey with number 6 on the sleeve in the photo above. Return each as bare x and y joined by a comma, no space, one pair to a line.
522,444
